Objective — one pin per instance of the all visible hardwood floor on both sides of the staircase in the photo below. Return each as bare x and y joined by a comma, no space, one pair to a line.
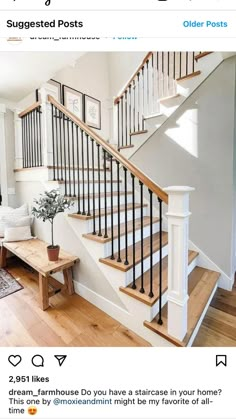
72,321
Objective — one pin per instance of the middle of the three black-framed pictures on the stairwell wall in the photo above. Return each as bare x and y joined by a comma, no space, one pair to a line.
73,100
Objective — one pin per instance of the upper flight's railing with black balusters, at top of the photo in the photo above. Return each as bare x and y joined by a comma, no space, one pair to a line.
154,79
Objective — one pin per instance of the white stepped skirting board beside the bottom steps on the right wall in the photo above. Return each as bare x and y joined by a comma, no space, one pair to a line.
225,282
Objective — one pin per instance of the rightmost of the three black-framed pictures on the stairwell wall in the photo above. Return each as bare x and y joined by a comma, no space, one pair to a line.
92,112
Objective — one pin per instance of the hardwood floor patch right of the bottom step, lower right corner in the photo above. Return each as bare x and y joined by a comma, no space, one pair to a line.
219,325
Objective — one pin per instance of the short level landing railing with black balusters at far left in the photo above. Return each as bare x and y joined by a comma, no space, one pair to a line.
32,154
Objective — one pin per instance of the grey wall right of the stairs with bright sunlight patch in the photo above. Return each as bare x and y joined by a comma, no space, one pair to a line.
195,147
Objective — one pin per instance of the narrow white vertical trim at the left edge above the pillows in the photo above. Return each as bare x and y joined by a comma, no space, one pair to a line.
3,163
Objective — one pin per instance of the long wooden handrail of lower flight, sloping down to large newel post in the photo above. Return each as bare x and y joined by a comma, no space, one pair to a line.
112,151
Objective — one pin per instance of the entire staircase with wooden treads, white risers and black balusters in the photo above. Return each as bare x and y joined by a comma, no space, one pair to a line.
119,213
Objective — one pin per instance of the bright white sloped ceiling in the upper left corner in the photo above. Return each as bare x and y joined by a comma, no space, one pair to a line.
23,72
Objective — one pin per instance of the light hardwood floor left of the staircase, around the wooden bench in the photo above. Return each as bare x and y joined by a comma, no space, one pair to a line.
70,320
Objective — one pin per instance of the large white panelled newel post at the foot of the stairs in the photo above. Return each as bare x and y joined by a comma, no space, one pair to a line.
178,235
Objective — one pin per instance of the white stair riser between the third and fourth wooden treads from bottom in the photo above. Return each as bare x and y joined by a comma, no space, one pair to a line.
146,232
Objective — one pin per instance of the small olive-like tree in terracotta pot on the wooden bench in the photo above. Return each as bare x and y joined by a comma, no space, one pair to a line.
47,207
